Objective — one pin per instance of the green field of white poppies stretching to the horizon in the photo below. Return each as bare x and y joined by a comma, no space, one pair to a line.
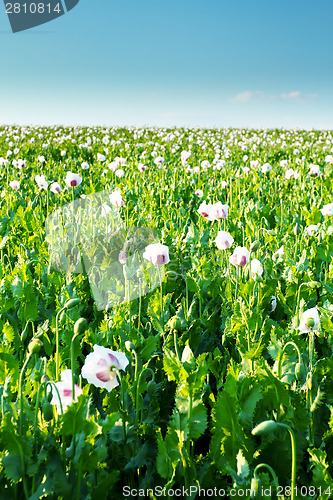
214,381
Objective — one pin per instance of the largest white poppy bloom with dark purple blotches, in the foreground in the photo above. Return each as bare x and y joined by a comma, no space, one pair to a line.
98,367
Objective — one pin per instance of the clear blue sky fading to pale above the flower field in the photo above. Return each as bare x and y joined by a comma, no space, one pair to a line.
265,63
